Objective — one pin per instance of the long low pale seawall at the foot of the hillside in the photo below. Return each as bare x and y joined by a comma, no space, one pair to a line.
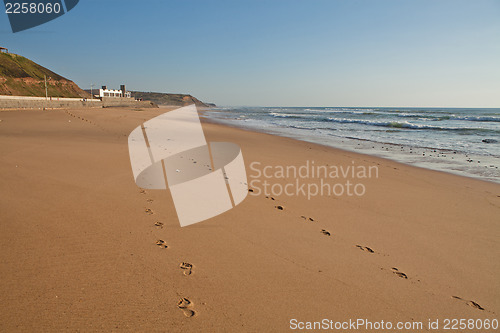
21,102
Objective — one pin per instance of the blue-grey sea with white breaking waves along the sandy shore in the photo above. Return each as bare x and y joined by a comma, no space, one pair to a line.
463,141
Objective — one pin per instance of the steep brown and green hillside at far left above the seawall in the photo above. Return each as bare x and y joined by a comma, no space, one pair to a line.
20,76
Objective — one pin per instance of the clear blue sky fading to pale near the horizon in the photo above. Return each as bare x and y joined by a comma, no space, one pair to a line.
412,53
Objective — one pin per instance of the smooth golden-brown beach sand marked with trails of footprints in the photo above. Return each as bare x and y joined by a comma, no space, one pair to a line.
79,245
